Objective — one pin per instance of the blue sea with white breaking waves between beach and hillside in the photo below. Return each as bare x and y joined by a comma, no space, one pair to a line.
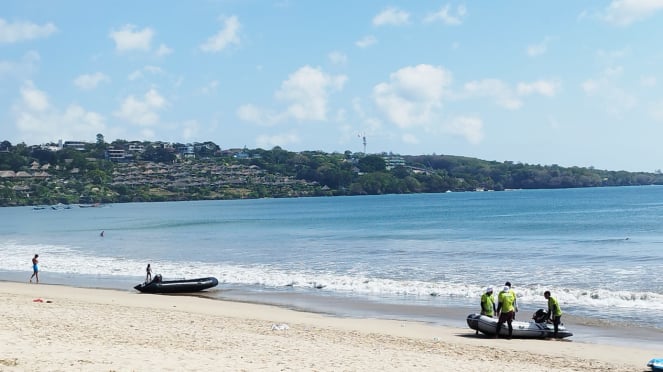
423,257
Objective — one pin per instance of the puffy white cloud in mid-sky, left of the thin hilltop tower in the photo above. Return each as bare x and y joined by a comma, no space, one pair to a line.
305,93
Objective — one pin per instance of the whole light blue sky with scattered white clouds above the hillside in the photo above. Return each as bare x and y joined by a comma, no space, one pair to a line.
573,83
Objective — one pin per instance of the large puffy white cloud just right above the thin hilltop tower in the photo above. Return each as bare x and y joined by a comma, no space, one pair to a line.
412,95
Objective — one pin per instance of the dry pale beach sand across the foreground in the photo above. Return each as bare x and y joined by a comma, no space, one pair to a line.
82,329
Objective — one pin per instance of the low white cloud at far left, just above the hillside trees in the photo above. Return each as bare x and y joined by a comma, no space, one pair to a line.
39,120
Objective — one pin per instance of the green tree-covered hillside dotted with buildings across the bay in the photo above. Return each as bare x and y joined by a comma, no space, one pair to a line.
85,175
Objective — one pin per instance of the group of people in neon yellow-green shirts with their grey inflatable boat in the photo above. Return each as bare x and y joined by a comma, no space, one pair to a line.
493,315
